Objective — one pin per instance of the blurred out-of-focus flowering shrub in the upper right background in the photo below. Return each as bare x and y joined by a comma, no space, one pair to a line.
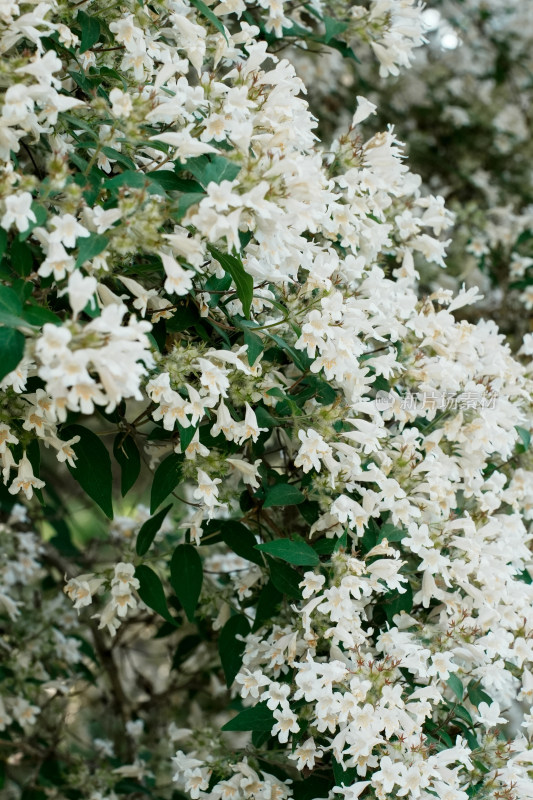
464,111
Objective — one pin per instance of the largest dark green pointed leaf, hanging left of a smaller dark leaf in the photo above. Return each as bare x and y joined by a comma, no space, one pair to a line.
92,467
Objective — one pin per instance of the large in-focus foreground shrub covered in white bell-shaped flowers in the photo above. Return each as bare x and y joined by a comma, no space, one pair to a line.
266,509
